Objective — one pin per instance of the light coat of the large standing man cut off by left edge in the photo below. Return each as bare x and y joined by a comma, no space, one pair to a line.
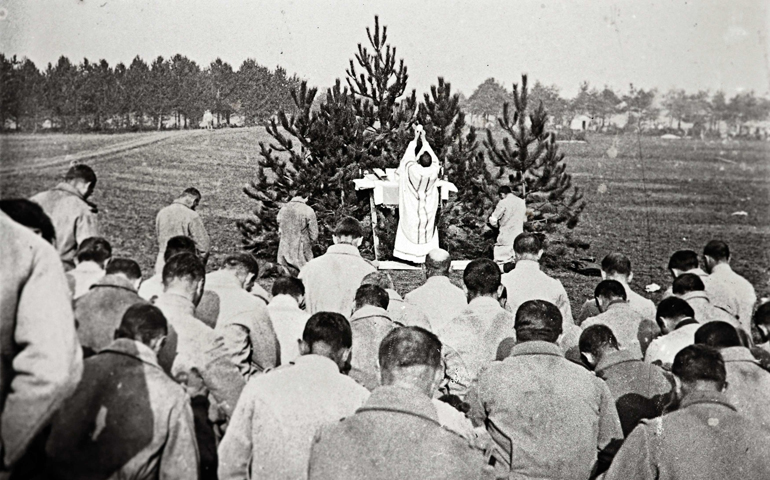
41,357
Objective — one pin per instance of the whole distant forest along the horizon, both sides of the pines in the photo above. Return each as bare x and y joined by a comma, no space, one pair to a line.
176,92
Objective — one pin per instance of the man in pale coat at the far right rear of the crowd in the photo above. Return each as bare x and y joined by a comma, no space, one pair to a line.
717,256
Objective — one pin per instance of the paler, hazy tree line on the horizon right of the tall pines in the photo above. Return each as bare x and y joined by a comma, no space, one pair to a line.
703,110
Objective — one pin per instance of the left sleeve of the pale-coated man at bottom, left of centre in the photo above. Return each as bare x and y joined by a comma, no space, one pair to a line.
235,451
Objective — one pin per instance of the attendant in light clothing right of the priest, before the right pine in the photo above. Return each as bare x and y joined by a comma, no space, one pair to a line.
509,217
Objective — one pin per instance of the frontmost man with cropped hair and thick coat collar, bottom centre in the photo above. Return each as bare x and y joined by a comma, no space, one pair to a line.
397,434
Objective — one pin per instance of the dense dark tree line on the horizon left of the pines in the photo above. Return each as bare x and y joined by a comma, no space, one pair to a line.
95,96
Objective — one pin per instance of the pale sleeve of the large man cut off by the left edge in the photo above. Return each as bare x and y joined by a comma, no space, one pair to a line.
49,361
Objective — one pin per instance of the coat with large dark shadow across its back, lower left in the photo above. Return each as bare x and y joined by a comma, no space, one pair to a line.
127,419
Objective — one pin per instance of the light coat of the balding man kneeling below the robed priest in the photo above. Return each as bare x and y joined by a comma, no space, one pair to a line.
439,299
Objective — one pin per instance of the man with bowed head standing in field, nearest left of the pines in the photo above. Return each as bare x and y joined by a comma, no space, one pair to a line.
180,218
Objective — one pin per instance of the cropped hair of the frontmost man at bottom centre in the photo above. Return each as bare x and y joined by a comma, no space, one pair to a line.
410,346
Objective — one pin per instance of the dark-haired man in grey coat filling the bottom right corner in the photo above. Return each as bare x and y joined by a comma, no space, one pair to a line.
706,438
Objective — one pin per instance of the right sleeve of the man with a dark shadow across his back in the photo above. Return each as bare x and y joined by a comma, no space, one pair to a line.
179,460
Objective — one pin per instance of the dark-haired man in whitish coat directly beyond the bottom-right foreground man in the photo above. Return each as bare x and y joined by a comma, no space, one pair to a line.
677,323
